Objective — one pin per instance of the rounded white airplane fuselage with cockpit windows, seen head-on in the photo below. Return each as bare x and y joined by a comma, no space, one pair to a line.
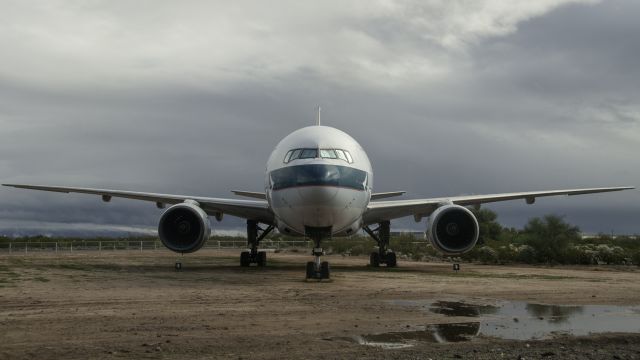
329,189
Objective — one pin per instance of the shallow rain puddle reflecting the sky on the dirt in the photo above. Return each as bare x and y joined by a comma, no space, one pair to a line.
514,320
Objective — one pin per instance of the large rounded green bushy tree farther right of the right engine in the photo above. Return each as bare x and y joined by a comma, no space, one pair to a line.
550,237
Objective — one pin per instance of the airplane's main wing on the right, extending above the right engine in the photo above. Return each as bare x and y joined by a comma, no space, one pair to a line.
378,211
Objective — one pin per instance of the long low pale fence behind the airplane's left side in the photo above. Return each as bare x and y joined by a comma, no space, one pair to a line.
83,245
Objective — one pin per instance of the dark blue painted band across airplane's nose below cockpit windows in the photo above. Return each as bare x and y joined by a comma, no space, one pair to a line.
318,175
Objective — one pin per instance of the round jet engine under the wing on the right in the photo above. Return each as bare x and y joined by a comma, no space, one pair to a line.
452,229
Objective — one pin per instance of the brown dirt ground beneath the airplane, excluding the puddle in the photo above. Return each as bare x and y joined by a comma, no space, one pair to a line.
132,304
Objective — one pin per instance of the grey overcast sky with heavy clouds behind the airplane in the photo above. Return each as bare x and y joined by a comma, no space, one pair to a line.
447,97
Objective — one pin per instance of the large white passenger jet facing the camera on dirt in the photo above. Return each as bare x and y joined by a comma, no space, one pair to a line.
318,184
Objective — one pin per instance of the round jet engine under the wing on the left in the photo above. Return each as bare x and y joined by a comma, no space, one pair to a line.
184,227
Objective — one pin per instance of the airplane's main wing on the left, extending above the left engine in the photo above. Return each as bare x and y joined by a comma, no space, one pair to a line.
248,209
